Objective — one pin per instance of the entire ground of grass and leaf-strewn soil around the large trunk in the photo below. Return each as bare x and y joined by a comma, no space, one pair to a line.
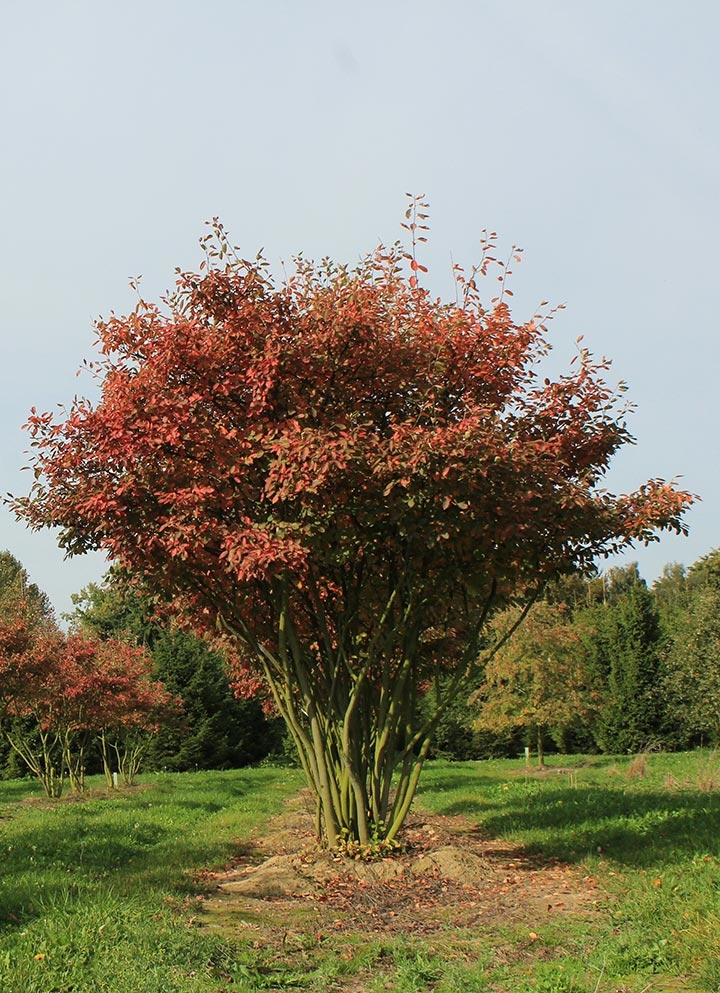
596,875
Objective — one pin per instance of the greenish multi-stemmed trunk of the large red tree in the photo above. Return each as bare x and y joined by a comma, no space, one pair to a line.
351,708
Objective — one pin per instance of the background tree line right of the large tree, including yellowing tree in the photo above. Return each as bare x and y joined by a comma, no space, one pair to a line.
603,663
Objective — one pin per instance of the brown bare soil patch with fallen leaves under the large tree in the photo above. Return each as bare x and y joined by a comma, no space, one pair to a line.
450,876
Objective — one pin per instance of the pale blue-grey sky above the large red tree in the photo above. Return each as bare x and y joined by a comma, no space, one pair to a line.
585,132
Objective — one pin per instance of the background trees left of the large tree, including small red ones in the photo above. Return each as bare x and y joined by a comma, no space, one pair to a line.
211,729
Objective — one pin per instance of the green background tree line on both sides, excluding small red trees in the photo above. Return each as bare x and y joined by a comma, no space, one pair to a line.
602,663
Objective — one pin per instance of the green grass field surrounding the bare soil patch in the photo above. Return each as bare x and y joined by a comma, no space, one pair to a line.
106,893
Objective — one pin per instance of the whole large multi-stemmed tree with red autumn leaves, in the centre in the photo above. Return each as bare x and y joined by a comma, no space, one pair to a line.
347,476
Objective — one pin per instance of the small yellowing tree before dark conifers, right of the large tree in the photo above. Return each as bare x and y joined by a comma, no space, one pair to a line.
538,680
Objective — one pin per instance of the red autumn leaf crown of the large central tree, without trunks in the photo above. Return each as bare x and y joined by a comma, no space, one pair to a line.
337,428
